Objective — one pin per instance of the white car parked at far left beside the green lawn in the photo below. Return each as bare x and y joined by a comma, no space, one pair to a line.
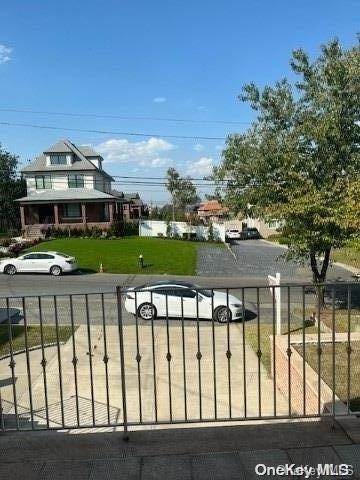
39,262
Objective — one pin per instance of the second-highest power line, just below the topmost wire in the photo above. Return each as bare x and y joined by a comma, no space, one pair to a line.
127,134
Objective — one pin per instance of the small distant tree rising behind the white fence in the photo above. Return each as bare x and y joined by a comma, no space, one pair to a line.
181,189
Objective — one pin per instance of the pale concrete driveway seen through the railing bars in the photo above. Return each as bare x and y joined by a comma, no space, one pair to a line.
156,384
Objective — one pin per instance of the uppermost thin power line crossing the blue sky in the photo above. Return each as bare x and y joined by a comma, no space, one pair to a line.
125,117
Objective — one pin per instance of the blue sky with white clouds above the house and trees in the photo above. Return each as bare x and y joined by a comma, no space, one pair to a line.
173,59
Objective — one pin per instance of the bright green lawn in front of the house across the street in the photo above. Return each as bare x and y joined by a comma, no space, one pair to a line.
172,257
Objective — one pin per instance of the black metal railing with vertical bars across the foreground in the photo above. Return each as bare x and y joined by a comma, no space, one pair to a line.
178,355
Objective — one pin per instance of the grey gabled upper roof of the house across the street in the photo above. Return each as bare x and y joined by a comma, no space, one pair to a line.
80,161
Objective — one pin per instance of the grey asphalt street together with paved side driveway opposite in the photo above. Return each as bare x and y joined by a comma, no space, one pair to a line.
255,260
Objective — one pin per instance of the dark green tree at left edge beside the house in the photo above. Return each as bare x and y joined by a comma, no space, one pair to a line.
11,188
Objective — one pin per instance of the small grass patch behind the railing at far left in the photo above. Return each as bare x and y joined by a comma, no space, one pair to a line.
34,336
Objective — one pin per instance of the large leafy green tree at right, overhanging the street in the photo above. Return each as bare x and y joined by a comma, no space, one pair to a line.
299,160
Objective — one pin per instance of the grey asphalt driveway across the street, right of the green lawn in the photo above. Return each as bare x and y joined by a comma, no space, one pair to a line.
256,259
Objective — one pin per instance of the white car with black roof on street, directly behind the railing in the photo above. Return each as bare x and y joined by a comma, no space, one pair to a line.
182,299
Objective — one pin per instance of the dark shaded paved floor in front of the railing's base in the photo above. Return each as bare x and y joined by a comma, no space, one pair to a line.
195,453
